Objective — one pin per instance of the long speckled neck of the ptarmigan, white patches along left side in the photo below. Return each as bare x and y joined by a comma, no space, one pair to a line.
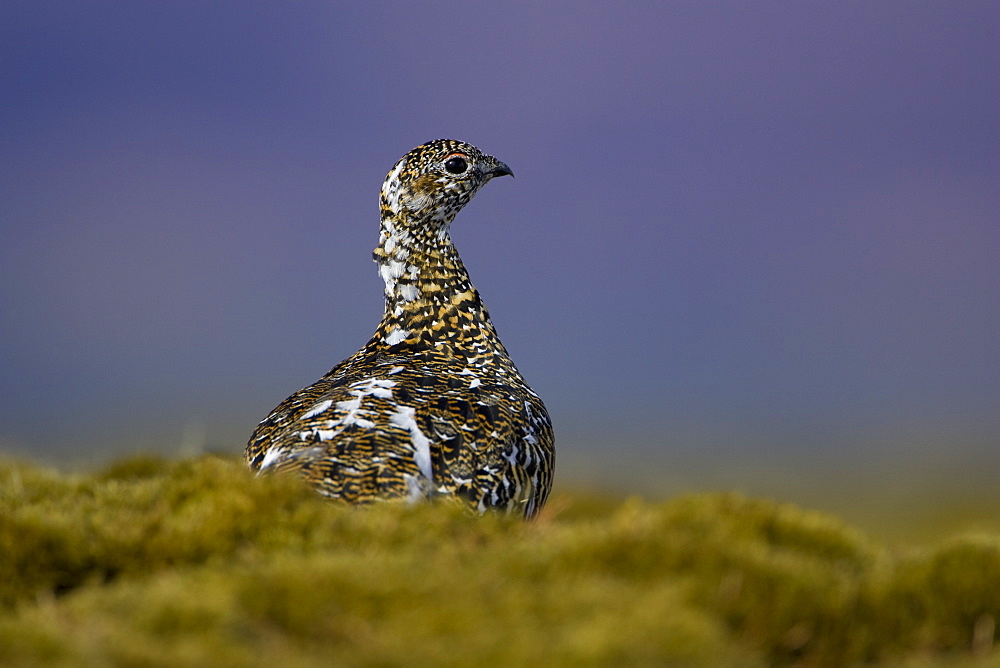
430,302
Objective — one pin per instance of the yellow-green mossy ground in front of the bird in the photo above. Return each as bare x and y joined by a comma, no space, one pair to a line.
196,562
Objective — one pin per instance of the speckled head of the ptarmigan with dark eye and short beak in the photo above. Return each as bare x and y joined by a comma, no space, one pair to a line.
434,181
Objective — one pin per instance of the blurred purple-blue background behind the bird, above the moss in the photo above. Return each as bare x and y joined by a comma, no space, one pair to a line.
749,246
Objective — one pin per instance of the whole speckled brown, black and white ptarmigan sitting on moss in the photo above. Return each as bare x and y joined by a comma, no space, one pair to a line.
432,404
